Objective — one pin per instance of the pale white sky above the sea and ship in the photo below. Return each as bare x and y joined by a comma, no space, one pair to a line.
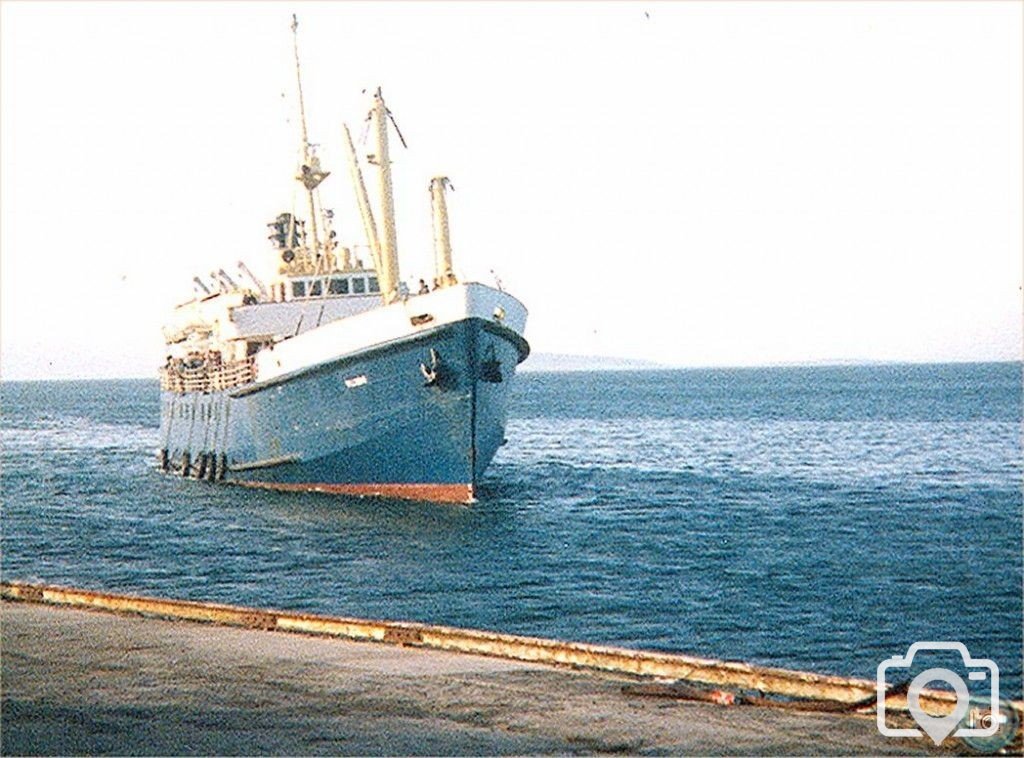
691,184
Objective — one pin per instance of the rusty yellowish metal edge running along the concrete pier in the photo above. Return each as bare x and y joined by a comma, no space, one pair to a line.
602,658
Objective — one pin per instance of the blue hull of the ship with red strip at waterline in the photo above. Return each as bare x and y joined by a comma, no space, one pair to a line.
420,417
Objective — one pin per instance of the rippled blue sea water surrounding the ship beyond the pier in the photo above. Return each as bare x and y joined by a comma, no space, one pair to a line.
820,519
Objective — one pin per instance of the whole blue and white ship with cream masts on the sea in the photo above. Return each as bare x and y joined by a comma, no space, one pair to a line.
334,376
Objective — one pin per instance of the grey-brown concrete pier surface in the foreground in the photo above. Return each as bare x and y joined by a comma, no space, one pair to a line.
80,682
